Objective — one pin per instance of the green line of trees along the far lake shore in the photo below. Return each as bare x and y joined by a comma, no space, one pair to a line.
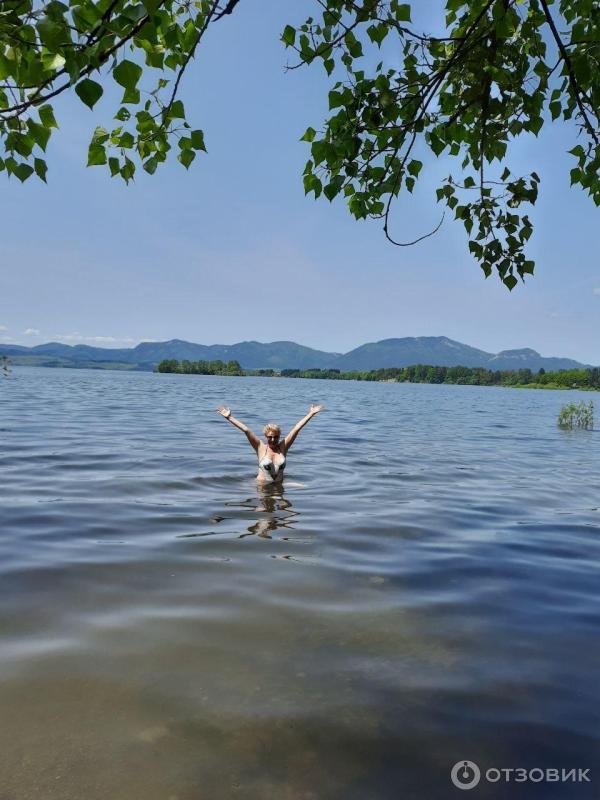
418,373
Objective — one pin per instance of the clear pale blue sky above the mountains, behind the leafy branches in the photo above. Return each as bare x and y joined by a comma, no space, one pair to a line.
232,250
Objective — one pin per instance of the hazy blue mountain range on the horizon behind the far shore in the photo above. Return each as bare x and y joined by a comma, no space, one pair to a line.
433,350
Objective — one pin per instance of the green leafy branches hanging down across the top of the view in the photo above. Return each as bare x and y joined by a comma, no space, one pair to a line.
501,69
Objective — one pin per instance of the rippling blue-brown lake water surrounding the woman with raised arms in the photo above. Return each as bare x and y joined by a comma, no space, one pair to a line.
423,590
